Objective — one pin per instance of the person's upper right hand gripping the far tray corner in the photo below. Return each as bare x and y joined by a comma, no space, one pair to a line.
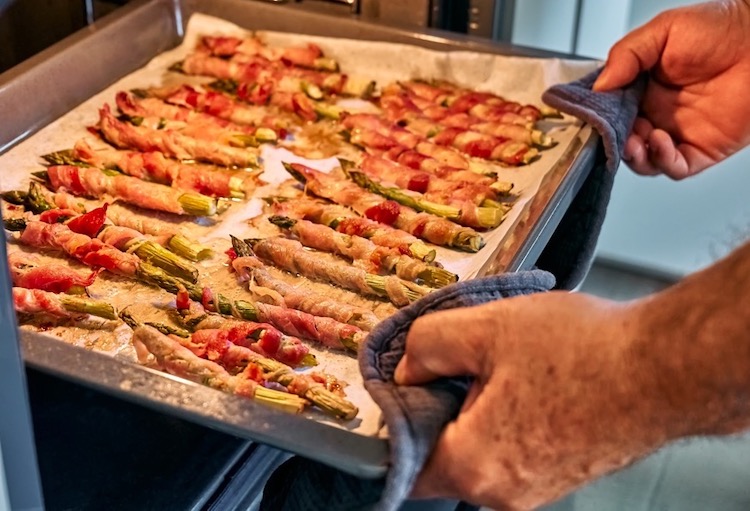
696,107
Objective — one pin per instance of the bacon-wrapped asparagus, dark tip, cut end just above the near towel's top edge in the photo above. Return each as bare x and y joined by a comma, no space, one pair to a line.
365,253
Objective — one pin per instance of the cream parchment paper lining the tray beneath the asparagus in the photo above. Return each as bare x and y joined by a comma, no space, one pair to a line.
520,79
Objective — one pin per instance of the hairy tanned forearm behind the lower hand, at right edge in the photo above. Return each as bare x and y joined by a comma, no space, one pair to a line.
694,350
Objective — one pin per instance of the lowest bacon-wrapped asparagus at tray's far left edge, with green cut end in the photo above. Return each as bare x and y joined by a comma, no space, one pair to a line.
36,301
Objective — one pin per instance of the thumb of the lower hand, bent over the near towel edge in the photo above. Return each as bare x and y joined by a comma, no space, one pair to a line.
446,343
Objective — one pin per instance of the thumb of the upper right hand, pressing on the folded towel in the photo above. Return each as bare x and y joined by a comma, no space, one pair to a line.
638,51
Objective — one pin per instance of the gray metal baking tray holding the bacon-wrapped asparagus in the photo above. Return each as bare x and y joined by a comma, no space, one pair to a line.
53,82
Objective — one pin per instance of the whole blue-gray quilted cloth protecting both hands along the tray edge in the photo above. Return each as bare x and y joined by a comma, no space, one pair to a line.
415,416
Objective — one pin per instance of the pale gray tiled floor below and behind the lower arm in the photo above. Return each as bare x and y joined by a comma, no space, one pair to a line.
702,474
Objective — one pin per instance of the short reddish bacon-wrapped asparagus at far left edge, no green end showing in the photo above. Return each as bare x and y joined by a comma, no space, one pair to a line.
27,271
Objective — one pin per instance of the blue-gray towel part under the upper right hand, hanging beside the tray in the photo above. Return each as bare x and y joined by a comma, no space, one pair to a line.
570,251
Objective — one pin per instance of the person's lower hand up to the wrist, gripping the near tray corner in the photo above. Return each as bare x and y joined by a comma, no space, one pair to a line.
556,400
